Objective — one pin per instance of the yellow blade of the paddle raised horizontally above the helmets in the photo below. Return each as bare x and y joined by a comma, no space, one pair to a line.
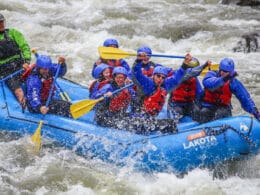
113,53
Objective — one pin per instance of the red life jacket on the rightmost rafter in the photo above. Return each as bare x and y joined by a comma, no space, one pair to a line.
221,96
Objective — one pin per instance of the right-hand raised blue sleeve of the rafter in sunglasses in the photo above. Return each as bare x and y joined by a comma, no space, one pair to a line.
173,81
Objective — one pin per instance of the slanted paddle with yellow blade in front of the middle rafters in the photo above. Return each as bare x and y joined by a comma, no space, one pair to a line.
84,106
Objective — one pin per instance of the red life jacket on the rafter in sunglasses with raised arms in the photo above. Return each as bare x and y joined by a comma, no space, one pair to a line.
154,103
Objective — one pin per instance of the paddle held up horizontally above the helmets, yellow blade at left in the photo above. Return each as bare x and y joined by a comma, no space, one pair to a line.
115,53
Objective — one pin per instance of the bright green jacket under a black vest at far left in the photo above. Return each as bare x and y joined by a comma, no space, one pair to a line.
21,43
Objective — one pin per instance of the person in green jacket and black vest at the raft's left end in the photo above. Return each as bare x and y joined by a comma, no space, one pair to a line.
15,54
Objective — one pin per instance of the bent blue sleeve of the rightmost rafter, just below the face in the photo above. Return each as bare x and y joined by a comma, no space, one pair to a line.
211,81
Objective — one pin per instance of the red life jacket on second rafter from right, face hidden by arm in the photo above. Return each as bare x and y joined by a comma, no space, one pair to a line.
186,92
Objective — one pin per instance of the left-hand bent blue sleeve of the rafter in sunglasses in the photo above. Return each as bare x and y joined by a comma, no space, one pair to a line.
145,83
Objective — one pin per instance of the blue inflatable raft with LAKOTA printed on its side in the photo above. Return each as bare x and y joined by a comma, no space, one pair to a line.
193,146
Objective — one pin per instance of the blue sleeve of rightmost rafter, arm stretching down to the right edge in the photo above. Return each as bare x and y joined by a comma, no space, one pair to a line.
243,96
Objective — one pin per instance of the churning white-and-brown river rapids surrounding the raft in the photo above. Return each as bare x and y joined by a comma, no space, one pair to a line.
74,29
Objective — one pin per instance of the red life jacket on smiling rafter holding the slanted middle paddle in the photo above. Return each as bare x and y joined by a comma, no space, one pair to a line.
120,101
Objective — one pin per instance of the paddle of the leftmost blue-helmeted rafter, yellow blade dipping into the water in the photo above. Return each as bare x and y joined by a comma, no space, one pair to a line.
36,138
